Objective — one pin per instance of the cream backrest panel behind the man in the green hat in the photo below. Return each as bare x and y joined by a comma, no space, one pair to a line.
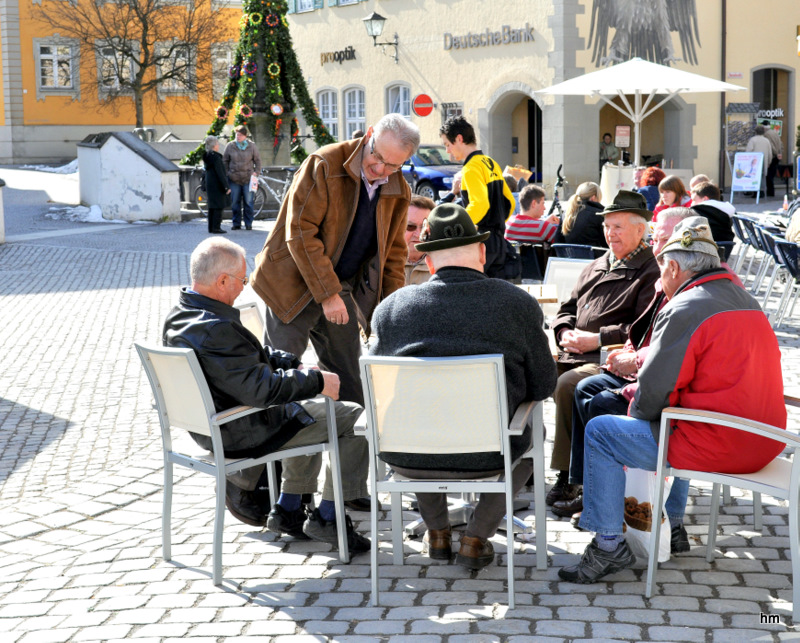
436,405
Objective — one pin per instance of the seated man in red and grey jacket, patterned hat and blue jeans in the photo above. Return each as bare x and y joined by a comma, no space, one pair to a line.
689,365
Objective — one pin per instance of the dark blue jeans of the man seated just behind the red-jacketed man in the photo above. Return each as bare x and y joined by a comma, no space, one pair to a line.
595,395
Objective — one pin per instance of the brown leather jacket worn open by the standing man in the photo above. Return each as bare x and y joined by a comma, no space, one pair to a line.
297,261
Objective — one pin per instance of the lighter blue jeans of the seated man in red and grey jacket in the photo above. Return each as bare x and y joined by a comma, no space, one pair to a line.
611,442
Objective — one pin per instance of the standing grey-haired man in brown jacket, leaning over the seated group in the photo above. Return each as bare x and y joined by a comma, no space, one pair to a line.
338,247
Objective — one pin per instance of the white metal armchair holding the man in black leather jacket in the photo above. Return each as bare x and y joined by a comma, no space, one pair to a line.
184,403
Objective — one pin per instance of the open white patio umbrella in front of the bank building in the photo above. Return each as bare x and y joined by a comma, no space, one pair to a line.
643,80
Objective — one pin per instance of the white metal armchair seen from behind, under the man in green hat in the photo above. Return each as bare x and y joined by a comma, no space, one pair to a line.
438,406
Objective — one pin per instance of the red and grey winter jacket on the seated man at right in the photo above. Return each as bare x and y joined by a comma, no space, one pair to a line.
713,349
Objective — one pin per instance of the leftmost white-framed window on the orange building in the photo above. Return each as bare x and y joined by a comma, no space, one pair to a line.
57,65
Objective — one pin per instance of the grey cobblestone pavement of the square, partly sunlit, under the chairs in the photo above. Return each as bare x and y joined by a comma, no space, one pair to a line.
80,499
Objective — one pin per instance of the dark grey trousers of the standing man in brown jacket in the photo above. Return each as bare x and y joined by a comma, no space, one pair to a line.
338,347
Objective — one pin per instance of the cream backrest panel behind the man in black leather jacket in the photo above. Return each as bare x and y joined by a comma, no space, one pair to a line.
179,386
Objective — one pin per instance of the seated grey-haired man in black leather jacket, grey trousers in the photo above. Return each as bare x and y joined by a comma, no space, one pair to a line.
239,370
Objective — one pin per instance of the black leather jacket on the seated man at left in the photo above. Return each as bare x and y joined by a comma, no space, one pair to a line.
239,370
